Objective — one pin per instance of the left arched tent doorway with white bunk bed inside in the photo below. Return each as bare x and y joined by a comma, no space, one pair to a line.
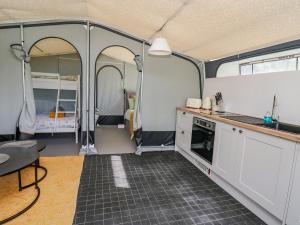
56,72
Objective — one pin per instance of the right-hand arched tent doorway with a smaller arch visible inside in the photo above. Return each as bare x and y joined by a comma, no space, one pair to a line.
115,91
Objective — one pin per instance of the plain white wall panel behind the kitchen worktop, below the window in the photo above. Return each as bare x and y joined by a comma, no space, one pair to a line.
253,95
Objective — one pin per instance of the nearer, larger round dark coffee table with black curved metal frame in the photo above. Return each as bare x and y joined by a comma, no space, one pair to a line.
20,158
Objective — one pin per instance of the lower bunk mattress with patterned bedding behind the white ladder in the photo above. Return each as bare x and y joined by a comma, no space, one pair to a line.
44,122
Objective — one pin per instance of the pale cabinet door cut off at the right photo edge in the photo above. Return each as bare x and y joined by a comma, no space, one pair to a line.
293,216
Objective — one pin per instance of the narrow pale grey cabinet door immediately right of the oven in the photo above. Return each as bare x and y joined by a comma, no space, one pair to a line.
225,151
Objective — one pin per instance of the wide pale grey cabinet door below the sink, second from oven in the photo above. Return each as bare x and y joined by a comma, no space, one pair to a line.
265,165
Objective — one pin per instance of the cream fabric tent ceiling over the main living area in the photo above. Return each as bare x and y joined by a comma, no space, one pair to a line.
202,29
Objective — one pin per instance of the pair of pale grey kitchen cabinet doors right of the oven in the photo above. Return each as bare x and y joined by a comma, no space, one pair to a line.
258,165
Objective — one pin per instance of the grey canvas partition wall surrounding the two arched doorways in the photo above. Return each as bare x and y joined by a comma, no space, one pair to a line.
166,75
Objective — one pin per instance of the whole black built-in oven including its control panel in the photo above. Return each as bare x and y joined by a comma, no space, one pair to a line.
203,135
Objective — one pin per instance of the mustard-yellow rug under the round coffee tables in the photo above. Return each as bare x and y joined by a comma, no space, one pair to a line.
57,202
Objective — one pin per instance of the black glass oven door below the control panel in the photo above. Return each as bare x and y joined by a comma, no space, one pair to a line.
203,142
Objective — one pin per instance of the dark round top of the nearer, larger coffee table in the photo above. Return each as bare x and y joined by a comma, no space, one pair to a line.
19,158
